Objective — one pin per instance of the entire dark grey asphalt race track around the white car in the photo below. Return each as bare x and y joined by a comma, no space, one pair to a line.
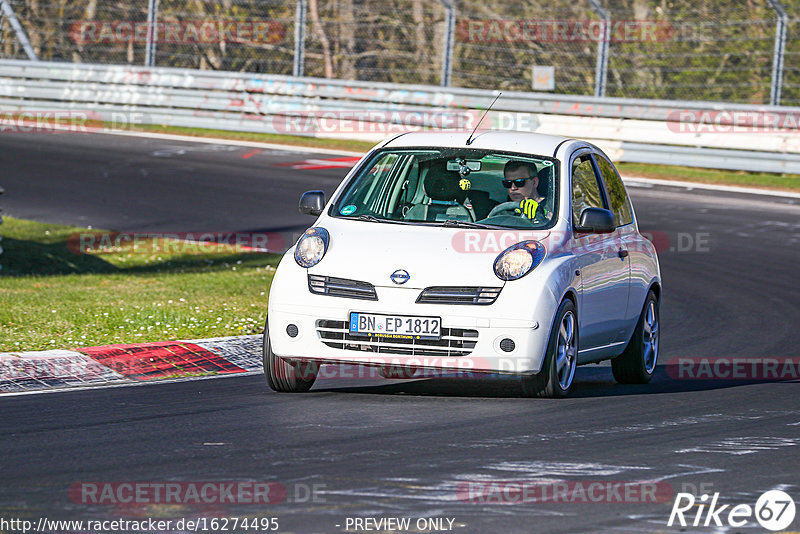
375,448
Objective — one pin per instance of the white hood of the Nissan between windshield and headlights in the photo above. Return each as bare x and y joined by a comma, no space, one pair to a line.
432,255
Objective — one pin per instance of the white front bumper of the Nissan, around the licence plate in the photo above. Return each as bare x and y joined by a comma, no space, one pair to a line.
471,334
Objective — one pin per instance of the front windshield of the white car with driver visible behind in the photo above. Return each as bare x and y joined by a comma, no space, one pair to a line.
453,187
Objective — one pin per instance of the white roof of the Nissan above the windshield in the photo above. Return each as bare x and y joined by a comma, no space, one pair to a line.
524,142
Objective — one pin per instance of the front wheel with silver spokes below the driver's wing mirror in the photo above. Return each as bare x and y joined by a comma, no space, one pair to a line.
558,370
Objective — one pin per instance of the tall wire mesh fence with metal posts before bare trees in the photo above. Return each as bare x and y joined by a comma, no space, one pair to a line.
717,50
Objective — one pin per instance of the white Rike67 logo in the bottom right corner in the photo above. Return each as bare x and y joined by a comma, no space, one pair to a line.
774,510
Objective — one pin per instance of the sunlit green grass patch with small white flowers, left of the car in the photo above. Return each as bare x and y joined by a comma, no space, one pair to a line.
53,297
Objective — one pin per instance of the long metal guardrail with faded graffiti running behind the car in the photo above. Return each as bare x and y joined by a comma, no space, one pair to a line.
700,134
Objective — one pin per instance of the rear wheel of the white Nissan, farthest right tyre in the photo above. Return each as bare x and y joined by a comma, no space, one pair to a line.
638,363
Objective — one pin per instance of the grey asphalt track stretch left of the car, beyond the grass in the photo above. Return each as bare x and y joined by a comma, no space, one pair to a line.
138,184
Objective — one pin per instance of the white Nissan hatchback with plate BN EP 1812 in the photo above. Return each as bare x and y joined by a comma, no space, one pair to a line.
516,253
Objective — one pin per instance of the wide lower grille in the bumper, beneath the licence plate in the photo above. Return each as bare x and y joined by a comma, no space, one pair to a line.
454,341
